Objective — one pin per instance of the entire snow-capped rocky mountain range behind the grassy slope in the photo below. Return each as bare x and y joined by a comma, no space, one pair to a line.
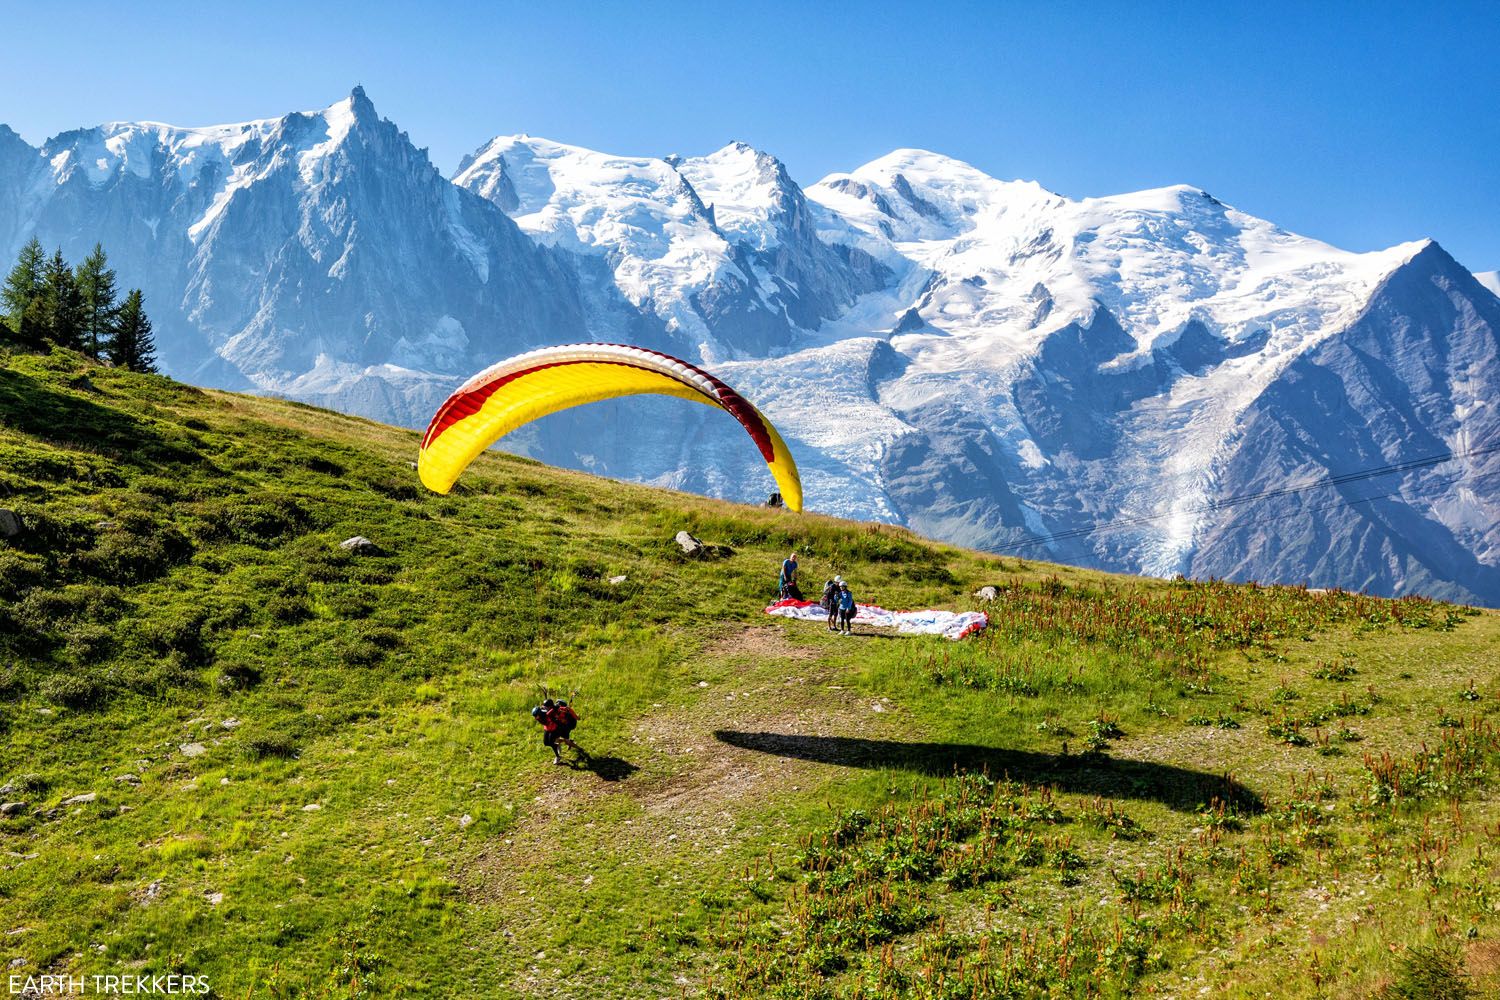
1148,382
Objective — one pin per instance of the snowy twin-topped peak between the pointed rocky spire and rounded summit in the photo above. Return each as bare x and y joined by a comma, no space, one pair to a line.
719,250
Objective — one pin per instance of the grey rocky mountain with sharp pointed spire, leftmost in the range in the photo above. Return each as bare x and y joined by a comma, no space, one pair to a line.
313,254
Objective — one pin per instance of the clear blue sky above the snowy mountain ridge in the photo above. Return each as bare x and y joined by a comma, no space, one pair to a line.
1360,124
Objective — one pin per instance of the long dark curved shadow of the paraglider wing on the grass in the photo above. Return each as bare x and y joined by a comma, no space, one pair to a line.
1085,774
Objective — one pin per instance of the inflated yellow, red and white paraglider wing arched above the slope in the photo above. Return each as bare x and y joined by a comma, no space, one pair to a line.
526,388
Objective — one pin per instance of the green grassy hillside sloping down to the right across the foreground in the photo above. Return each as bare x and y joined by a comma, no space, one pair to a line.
310,773
